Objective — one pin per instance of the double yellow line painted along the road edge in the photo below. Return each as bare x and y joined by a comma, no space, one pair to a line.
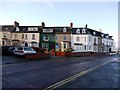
58,84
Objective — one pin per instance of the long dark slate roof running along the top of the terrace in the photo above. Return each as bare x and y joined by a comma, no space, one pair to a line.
24,29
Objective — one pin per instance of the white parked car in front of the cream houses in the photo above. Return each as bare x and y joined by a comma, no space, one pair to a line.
24,51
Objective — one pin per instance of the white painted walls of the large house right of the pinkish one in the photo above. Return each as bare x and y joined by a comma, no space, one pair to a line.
89,42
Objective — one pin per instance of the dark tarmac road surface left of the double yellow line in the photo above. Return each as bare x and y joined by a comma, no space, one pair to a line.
43,74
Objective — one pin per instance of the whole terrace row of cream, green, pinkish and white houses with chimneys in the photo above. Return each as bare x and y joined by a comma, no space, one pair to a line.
81,39
